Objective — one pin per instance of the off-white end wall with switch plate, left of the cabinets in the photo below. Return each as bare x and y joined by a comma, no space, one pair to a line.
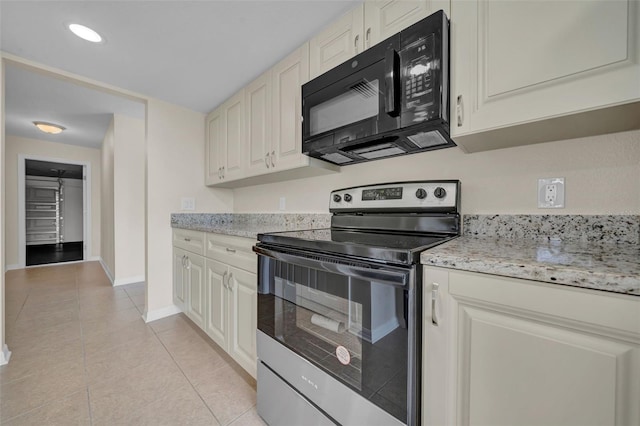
175,169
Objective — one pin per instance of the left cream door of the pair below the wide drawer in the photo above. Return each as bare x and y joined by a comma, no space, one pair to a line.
216,317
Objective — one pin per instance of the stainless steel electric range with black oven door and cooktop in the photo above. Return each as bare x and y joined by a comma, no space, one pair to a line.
339,309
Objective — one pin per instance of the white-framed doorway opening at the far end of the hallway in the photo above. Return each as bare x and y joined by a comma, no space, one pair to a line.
53,209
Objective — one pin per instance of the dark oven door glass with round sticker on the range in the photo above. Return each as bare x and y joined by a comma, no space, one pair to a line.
352,328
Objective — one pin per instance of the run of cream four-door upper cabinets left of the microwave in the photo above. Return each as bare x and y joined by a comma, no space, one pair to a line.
257,135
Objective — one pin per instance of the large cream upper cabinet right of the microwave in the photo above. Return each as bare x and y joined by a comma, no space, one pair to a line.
530,71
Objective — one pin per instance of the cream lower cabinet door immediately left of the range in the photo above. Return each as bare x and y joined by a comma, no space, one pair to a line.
243,307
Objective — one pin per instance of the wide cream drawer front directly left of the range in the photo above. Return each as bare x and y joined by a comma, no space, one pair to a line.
234,251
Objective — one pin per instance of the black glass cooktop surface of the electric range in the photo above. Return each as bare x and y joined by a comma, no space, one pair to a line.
388,247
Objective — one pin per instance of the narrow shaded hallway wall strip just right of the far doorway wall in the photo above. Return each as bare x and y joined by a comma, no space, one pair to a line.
107,241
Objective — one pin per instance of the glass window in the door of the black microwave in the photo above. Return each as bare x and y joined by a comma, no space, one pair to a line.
358,102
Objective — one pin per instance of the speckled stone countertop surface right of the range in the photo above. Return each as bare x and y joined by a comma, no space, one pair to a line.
609,267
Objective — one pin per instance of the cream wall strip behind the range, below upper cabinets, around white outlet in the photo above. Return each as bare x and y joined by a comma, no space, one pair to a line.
602,176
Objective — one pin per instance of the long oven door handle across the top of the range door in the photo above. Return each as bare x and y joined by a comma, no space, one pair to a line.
385,275
